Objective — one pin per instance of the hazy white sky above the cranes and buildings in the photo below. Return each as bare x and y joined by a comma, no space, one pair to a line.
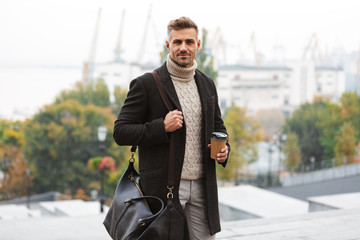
59,33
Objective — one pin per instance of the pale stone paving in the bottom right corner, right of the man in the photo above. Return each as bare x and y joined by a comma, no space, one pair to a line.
327,225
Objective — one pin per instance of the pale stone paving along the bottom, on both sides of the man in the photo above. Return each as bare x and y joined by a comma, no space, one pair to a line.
329,225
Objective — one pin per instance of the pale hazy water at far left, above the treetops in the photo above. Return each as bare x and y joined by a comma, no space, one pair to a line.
23,91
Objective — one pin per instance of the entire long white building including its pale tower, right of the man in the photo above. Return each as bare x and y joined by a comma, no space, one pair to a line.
278,87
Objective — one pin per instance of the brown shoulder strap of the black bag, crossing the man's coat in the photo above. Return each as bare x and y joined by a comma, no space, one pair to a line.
169,107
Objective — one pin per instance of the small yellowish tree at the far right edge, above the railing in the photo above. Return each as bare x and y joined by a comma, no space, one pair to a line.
345,147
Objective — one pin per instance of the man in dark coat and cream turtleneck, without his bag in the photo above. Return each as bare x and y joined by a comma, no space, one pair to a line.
144,121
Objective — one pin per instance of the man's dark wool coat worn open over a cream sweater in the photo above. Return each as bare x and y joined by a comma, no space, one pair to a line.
140,123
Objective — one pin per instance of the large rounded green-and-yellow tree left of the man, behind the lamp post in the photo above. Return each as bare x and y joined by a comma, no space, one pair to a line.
59,141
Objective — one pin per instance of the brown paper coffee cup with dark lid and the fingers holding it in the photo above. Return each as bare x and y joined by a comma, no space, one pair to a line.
219,149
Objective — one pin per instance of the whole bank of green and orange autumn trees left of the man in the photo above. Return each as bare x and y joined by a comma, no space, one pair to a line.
58,141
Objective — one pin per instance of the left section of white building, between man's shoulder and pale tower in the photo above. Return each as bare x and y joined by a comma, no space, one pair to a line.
254,88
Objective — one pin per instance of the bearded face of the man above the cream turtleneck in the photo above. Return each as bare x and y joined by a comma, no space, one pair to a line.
183,46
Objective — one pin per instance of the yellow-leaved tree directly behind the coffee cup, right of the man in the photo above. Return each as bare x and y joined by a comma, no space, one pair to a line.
243,136
